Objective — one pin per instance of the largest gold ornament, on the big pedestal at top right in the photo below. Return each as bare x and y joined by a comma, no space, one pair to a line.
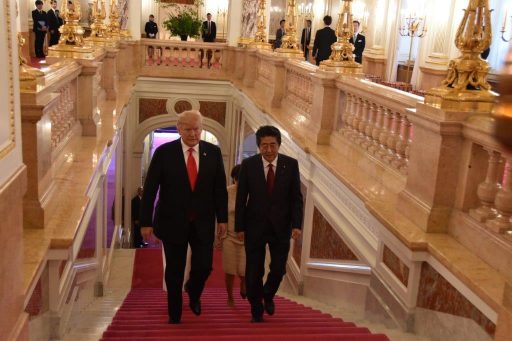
465,87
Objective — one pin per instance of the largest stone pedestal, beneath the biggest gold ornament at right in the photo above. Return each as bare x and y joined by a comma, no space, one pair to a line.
434,163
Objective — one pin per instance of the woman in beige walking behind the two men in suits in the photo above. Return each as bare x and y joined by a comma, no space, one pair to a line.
233,253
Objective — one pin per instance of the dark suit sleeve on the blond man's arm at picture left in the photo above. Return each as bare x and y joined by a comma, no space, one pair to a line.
151,185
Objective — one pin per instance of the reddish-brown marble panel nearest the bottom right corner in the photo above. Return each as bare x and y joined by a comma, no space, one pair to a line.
436,293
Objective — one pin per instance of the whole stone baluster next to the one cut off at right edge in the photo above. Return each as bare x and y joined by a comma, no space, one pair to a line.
487,190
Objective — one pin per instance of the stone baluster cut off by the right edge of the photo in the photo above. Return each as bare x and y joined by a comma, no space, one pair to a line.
503,202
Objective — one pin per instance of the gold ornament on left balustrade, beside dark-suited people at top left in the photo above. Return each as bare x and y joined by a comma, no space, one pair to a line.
71,42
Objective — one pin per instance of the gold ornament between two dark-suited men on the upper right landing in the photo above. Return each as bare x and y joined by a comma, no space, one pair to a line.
342,55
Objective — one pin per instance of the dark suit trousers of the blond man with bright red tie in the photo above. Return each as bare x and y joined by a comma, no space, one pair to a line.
200,269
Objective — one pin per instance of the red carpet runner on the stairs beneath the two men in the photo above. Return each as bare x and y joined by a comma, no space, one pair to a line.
143,315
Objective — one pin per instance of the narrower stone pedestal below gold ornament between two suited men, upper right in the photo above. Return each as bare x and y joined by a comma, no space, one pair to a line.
322,112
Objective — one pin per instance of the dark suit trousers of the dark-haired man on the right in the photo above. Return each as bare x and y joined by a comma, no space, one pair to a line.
255,267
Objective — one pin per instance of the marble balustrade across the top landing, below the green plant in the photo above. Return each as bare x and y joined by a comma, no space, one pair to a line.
182,54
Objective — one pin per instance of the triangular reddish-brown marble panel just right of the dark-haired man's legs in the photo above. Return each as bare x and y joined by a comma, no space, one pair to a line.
326,243
